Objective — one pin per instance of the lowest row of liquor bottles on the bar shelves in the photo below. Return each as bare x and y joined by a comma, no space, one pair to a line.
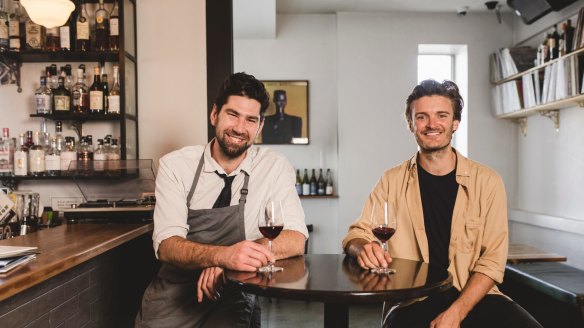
38,154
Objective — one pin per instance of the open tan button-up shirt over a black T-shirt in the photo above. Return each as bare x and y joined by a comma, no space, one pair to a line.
479,231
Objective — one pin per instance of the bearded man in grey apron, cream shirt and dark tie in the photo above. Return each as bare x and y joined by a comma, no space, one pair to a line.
200,229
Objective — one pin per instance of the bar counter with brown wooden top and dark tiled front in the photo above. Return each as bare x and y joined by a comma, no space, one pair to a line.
85,275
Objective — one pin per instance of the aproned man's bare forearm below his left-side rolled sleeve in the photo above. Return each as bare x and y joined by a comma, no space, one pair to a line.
188,255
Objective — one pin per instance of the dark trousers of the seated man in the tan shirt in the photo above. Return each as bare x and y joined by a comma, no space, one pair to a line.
492,311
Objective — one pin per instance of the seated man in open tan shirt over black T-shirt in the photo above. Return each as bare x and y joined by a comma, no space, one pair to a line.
452,213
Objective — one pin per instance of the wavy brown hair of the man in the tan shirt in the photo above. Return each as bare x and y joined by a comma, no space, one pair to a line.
431,87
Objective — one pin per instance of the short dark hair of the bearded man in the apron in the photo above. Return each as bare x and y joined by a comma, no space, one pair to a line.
245,85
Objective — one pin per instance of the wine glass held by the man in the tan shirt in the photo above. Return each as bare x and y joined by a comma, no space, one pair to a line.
383,226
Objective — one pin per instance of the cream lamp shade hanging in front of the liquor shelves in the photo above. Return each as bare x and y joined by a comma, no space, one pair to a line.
48,13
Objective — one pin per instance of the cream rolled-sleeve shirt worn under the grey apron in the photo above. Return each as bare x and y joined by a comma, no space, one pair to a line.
271,176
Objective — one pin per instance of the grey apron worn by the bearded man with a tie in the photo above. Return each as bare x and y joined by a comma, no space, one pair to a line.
171,298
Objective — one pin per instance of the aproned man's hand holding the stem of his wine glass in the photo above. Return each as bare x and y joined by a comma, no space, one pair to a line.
245,256
